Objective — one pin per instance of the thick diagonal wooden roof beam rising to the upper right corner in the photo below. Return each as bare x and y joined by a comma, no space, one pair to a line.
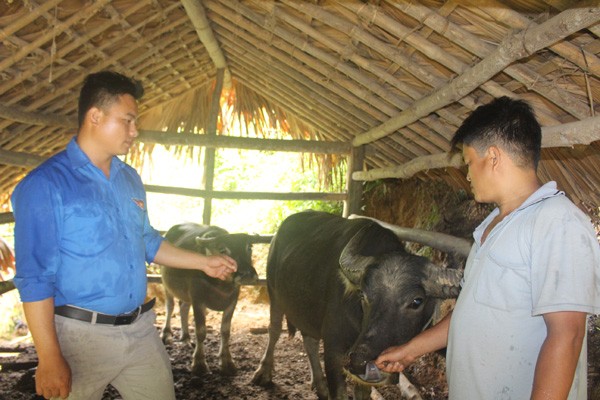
513,48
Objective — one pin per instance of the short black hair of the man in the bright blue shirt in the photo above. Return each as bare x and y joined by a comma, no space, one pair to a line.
102,88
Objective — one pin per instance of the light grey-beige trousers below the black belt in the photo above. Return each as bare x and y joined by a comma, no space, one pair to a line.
132,358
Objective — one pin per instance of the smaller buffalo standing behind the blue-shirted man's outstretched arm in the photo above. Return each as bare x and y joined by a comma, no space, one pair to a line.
201,291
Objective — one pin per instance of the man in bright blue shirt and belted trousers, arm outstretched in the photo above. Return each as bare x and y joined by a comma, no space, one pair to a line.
82,240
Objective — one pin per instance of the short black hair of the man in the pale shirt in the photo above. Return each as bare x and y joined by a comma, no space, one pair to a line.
506,123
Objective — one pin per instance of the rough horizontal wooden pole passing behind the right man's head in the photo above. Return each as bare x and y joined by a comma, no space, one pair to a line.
565,135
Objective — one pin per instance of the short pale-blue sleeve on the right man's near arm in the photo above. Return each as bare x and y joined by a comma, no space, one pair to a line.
565,273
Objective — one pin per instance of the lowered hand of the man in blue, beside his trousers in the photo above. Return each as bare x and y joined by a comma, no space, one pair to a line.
53,378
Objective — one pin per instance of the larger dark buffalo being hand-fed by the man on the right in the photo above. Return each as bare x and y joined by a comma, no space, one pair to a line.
352,284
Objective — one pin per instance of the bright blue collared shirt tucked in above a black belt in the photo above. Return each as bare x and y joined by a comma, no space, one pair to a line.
80,237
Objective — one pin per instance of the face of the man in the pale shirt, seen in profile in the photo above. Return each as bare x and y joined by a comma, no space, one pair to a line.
479,173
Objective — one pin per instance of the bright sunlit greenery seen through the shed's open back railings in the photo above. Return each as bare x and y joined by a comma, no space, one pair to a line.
237,170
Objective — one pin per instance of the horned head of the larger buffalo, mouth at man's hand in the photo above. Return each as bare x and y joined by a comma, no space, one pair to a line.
397,291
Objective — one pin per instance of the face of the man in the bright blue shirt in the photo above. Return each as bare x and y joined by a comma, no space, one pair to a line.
117,126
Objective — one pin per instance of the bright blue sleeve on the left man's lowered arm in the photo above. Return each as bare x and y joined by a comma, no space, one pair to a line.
36,207
